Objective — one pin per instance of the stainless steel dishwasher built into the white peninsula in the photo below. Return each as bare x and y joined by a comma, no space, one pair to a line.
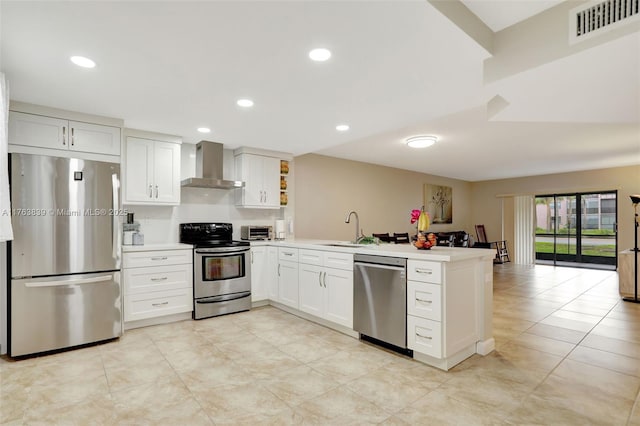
380,299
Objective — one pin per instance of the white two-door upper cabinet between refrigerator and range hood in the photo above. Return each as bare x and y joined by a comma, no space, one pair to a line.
151,172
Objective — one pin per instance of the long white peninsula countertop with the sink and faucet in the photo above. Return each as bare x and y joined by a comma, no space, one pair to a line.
408,251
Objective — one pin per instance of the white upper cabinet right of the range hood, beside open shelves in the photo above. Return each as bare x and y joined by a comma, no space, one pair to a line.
260,170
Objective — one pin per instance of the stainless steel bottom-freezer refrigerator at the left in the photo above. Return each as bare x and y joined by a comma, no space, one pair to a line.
64,261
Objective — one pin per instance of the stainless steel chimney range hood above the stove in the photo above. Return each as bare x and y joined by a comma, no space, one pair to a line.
209,168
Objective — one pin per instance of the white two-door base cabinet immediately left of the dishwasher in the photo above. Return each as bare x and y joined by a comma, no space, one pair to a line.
327,292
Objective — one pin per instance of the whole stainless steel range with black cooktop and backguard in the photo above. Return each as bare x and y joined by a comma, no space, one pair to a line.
221,269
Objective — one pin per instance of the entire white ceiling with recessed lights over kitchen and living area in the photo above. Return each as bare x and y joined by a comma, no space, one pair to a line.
398,69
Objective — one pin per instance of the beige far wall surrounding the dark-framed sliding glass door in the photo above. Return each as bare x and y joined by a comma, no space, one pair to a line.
487,206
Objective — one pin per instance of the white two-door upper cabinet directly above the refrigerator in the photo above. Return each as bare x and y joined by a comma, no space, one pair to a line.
55,133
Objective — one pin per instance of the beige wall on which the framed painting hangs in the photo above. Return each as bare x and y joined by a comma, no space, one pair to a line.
327,188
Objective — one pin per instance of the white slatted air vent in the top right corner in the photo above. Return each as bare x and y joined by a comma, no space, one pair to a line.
594,18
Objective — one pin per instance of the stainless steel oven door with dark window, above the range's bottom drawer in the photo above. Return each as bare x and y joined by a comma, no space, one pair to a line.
221,271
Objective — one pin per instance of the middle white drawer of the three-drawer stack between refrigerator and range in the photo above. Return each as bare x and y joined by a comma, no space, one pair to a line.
157,278
